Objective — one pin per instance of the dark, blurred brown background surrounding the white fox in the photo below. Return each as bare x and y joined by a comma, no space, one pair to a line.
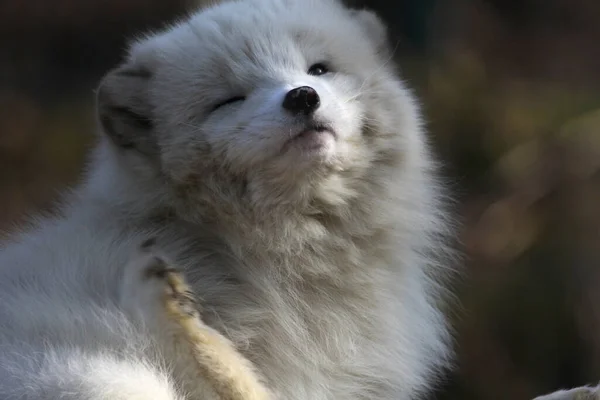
511,93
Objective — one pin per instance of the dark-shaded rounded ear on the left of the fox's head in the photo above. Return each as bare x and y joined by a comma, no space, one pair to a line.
124,110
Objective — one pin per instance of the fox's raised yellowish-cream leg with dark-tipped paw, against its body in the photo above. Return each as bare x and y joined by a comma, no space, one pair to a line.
211,358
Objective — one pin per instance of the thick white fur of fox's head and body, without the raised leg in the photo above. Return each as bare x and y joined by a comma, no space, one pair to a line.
323,267
